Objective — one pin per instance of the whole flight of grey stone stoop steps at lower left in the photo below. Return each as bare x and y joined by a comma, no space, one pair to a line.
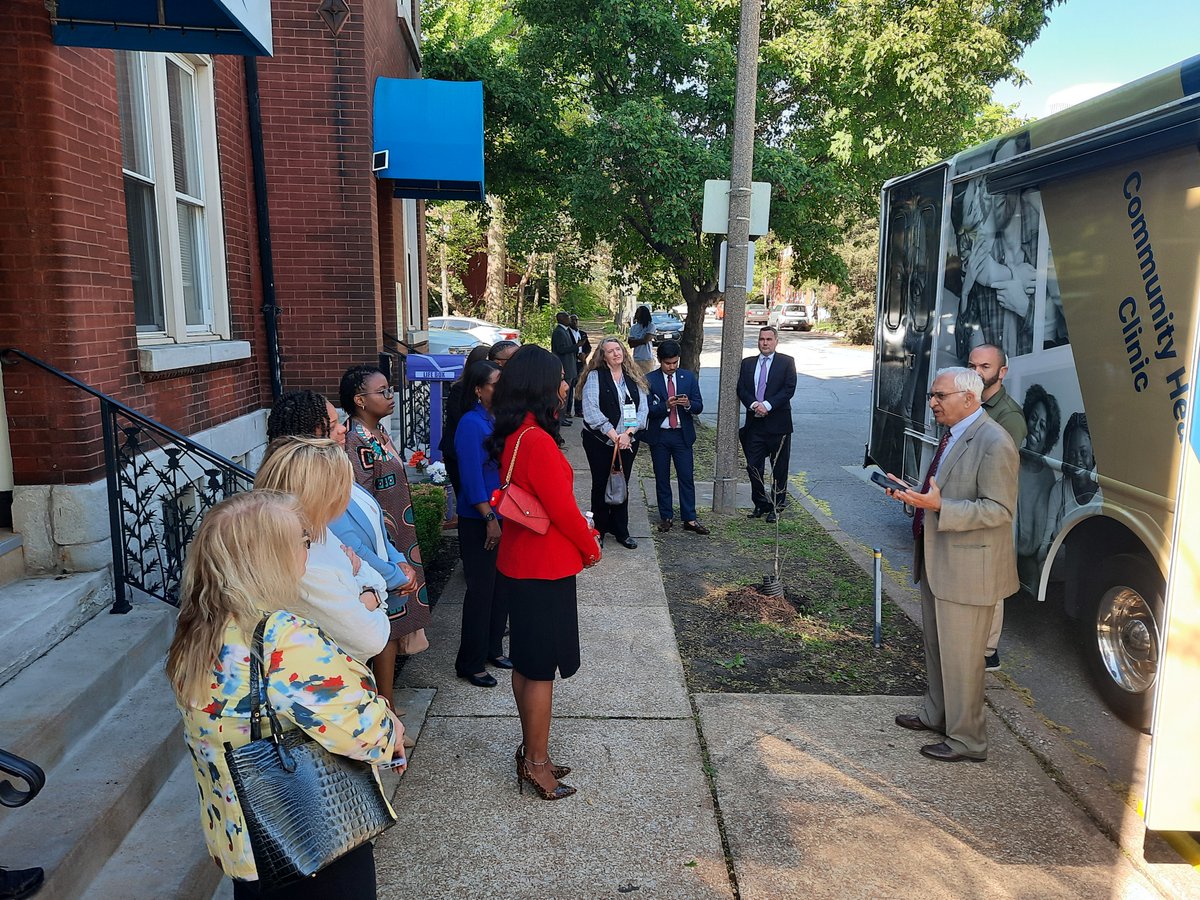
118,817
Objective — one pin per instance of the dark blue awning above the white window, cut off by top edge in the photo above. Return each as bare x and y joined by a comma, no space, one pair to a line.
241,28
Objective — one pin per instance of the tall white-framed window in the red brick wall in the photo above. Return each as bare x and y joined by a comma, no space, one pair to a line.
172,197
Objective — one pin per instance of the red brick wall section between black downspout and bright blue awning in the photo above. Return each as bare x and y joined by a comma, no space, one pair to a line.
332,226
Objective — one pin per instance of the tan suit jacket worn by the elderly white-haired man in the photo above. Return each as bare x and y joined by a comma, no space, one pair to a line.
968,555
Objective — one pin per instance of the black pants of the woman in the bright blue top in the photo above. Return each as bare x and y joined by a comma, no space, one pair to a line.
484,613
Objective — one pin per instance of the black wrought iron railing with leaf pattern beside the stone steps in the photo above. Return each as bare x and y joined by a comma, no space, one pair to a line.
160,487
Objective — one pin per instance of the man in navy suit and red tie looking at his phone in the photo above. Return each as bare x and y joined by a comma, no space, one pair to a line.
675,400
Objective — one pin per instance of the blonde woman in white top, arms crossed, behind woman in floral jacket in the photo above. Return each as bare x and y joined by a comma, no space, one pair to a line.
345,596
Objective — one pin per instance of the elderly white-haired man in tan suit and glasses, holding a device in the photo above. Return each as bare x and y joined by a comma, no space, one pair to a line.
964,560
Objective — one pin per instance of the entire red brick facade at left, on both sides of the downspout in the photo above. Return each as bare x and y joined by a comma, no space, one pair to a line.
65,291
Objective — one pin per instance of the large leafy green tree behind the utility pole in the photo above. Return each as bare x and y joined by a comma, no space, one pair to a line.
620,111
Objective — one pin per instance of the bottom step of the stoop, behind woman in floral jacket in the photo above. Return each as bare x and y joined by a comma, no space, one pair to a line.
165,854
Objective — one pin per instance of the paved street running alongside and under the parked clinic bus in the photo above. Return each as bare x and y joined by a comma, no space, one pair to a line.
832,415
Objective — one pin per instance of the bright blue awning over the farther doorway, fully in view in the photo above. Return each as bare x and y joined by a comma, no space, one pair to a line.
429,137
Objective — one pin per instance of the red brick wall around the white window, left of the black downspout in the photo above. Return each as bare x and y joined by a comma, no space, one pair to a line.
65,292
